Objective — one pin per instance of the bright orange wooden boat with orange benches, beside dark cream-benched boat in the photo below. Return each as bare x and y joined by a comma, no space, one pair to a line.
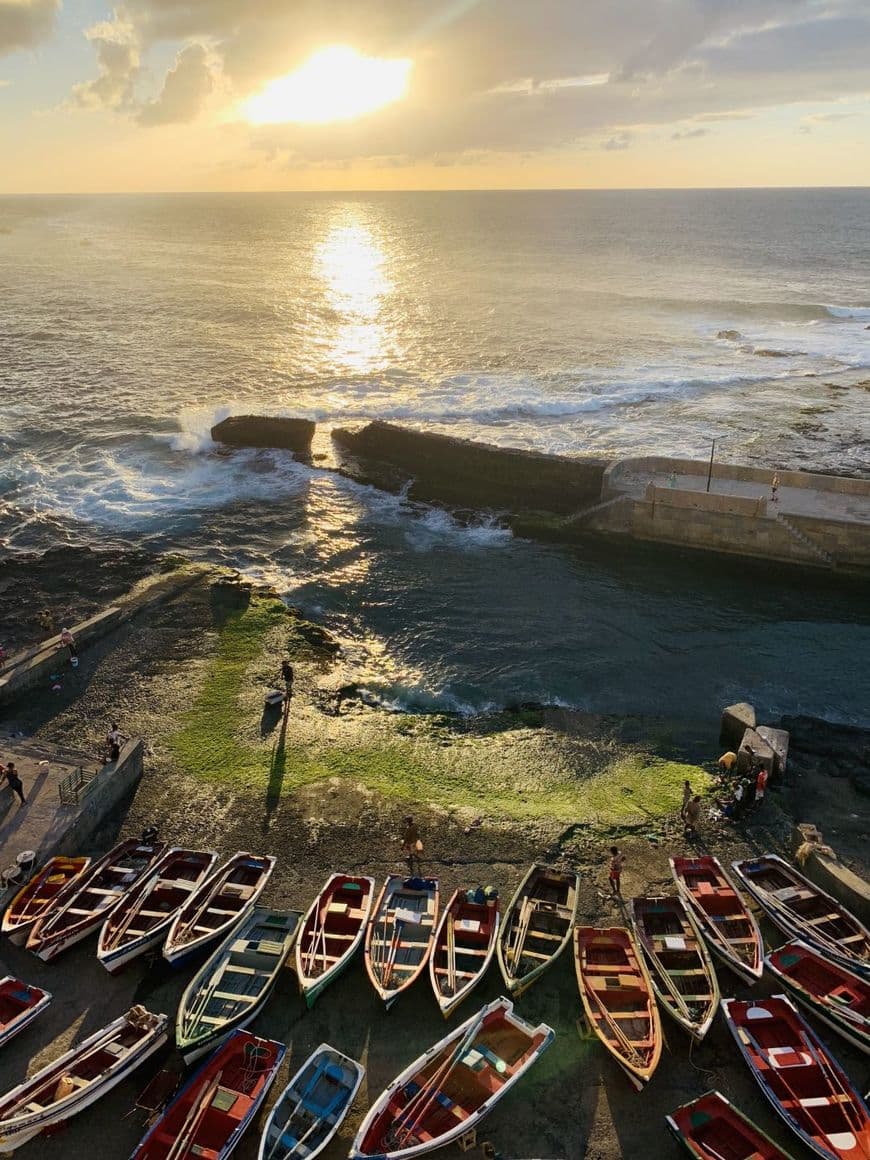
619,1000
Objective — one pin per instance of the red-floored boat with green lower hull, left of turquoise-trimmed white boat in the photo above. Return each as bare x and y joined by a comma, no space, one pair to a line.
332,932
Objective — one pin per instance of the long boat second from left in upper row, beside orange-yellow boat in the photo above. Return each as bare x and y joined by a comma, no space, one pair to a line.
90,901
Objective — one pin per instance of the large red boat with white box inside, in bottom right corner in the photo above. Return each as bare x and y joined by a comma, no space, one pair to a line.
800,1077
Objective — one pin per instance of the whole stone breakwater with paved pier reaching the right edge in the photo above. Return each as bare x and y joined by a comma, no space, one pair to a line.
820,521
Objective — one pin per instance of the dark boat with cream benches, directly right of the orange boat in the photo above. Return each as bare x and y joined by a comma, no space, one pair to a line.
680,967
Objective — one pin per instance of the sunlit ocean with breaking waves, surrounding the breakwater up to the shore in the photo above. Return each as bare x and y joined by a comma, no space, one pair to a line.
581,323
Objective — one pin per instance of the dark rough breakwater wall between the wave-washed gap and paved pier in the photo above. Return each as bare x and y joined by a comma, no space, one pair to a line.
460,473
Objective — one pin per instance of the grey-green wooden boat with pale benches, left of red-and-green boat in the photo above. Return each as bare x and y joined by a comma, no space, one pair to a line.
231,989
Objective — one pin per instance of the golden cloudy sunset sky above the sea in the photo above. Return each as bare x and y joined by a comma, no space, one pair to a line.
159,95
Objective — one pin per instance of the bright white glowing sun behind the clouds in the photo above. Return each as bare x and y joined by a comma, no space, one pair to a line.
337,84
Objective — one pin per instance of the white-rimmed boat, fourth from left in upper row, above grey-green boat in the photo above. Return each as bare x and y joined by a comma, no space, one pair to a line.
217,905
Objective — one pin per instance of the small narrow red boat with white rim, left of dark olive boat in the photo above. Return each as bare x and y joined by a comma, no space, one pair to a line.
465,947
